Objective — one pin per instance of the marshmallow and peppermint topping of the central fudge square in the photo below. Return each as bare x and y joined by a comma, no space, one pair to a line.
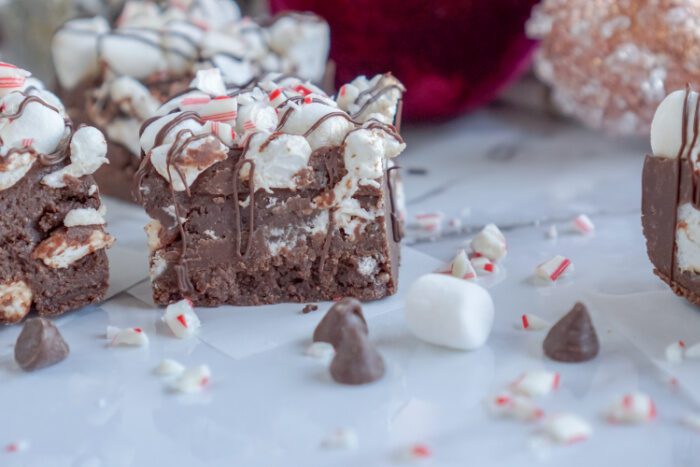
276,125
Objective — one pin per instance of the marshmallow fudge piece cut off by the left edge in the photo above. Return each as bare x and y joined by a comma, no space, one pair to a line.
52,236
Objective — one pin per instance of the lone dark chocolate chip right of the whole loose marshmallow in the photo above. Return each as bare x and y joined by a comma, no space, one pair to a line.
573,337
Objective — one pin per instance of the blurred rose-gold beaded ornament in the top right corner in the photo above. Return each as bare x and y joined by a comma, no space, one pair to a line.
610,62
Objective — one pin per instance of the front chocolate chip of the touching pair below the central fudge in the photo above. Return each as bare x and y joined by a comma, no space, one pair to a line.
356,360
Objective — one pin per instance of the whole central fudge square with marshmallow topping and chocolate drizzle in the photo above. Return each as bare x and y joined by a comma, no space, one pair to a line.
272,193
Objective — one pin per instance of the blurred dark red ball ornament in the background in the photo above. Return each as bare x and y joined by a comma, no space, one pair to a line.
452,55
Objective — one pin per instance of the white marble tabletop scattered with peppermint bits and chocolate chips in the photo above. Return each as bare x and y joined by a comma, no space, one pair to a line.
270,405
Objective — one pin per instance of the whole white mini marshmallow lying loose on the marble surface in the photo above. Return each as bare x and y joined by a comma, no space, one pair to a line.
450,312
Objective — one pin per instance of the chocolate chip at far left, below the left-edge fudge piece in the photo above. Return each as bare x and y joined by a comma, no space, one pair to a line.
39,345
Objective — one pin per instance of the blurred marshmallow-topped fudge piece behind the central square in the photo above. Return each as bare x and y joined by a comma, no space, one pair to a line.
116,77
